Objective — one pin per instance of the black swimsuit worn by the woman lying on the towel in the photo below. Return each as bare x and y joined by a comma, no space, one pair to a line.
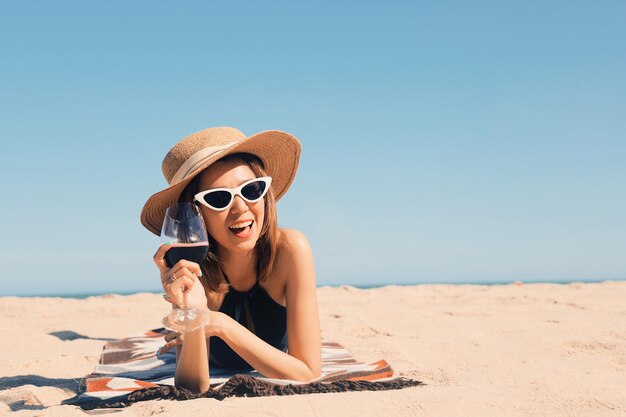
257,311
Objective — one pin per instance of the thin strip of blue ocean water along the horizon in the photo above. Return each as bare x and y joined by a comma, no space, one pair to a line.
360,286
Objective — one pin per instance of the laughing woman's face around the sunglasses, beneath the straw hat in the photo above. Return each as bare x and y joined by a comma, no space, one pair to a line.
231,174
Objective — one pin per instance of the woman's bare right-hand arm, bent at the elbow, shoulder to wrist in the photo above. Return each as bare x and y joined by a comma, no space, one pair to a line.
304,360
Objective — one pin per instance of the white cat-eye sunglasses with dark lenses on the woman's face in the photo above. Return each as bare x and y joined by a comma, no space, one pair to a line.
219,199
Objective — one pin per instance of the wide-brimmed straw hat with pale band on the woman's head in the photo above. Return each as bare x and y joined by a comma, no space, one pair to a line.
279,151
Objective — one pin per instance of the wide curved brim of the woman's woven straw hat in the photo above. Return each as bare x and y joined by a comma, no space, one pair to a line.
279,151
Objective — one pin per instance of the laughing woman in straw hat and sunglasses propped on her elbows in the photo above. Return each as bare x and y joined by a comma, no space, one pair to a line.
258,281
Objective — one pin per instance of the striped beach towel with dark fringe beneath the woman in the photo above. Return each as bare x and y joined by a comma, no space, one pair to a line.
130,370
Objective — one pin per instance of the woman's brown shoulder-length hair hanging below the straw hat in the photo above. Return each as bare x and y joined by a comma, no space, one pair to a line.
212,274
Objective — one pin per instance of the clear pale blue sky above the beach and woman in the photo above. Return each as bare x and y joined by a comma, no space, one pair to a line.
441,141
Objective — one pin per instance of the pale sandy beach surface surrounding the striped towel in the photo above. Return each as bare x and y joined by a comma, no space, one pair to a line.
501,350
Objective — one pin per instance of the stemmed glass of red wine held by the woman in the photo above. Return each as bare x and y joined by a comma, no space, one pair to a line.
184,230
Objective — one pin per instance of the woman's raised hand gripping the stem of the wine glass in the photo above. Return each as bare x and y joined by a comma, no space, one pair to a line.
181,278
